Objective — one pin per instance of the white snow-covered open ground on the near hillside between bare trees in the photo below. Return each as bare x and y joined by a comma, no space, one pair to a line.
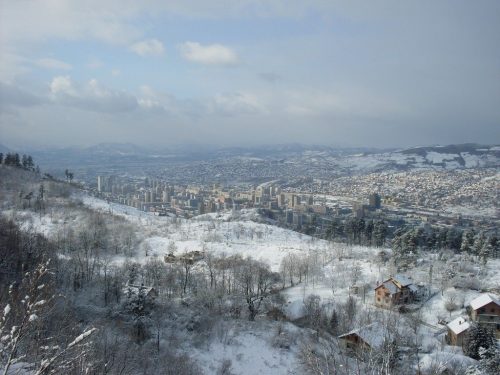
253,349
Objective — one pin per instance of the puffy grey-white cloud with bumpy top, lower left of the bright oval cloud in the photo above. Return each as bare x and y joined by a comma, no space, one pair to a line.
91,96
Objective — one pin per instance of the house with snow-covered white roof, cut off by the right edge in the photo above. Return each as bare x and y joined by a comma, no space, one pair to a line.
485,310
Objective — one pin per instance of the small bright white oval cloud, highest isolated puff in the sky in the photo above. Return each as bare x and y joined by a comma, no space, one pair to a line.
212,54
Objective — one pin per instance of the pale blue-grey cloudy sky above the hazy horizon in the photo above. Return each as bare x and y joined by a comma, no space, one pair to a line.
241,72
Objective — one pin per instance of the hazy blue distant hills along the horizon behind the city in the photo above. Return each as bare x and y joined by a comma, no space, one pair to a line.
346,160
